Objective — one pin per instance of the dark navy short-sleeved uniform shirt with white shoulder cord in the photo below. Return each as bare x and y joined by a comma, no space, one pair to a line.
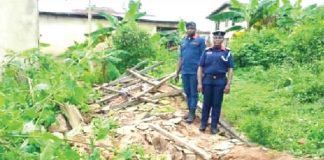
216,61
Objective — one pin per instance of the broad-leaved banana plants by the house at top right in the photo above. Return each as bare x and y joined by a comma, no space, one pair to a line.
263,13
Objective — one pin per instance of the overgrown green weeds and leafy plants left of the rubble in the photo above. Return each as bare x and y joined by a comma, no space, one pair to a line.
33,86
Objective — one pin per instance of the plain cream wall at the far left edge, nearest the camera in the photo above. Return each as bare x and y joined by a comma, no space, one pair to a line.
18,25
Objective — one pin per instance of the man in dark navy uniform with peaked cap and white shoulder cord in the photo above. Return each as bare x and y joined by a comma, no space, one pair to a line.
215,74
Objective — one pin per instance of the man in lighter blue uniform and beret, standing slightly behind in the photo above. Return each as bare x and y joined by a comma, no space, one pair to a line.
191,49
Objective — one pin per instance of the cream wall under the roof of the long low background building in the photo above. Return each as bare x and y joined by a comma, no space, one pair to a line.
62,31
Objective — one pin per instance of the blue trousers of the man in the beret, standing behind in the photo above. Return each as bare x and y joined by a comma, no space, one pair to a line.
189,82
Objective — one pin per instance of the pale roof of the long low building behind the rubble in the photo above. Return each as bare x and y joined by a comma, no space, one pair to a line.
63,8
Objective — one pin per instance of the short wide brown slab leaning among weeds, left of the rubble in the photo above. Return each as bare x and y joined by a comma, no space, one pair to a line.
73,115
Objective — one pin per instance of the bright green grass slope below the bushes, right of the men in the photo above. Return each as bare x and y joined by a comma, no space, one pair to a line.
274,116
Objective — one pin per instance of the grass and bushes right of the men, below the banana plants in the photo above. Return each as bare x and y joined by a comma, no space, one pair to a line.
277,96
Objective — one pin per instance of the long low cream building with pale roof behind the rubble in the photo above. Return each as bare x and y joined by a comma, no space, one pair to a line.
61,28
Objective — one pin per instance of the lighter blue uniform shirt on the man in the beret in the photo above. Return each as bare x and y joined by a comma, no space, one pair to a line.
190,52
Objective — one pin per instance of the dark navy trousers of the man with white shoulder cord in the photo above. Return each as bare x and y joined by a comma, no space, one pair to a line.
213,98
